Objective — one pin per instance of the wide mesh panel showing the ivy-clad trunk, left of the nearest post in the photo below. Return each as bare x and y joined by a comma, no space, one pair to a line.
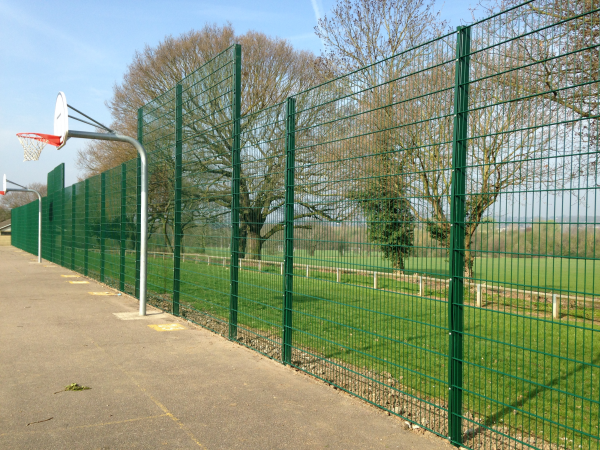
370,293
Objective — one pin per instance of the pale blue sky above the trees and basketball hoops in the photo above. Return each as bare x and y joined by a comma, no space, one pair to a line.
84,47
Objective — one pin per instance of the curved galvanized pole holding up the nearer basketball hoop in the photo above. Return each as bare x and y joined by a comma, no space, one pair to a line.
144,200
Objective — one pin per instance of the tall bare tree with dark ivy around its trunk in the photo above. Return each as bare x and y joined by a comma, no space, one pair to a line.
377,43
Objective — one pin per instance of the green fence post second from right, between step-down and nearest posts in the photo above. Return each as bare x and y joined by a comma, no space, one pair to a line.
288,278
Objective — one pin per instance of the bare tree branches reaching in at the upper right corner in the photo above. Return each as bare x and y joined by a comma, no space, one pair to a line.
562,60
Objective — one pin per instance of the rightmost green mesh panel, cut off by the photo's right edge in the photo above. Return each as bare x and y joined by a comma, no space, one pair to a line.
530,358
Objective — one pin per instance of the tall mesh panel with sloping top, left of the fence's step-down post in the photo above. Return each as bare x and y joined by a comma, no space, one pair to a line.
204,194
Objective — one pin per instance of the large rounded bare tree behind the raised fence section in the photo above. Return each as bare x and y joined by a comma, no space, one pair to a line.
272,71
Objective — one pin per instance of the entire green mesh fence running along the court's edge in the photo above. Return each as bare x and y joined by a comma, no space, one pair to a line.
422,233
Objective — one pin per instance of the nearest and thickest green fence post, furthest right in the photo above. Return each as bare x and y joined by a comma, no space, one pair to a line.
457,235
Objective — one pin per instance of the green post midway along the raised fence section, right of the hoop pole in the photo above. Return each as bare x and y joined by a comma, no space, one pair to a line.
177,219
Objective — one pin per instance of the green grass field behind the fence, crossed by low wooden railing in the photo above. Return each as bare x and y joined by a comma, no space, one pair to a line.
521,368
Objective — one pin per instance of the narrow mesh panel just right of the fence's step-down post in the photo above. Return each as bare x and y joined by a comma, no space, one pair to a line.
262,224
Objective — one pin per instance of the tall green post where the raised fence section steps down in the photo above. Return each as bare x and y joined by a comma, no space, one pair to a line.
235,196
